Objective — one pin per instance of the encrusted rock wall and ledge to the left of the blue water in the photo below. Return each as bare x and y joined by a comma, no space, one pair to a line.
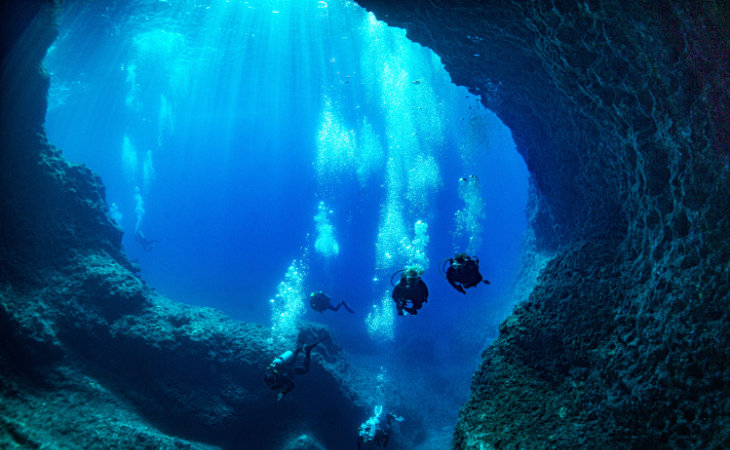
91,357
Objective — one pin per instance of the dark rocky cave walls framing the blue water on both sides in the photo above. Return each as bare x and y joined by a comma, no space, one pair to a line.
621,113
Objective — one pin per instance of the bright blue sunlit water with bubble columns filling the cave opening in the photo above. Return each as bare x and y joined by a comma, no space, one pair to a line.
220,127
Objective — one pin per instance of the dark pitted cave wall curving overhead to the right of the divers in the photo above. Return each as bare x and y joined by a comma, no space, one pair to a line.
620,109
